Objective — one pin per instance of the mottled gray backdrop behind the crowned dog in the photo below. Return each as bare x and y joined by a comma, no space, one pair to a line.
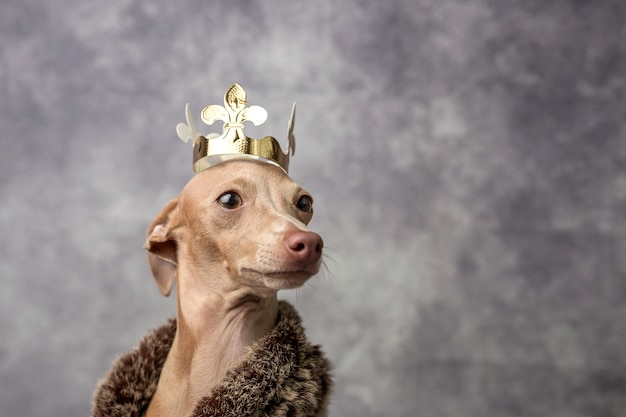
468,159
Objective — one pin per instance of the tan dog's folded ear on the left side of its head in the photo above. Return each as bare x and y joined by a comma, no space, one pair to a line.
162,247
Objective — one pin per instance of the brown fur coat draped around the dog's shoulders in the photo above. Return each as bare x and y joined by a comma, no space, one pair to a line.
282,376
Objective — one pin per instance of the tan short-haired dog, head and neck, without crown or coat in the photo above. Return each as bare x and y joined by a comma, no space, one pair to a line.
235,235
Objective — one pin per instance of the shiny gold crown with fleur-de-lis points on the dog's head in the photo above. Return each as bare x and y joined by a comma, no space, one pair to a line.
213,149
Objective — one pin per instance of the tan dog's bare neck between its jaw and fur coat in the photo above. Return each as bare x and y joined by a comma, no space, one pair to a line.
214,328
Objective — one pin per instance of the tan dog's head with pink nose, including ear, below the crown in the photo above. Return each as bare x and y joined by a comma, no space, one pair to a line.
244,221
